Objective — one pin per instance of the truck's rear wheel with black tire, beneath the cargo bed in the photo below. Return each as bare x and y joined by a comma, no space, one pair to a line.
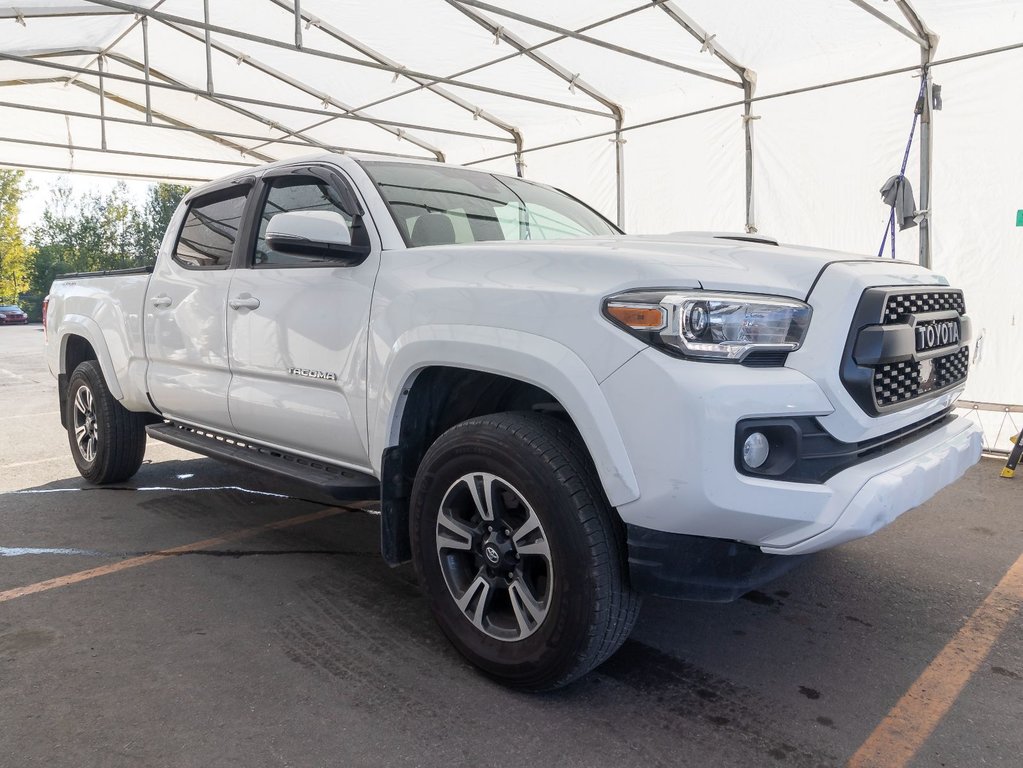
107,440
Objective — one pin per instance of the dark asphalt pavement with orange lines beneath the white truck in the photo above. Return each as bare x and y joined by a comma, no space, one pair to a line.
277,637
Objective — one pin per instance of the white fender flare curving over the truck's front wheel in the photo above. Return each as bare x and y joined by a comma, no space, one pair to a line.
526,357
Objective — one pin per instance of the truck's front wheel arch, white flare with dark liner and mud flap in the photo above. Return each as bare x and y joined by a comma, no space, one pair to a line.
439,378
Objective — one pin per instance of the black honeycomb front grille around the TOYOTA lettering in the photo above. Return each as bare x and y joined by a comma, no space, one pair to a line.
900,376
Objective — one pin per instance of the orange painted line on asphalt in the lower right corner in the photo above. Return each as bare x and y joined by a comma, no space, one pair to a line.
898,739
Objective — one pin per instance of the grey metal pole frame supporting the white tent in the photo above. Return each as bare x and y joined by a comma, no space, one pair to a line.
112,76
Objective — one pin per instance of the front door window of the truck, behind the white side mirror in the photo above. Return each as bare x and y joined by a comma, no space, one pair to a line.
290,194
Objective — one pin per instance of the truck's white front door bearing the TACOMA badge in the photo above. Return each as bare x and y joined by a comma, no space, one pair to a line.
298,327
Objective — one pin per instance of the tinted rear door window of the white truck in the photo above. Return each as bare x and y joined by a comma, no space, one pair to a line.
211,229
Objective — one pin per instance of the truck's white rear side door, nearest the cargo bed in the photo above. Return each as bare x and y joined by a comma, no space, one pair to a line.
186,323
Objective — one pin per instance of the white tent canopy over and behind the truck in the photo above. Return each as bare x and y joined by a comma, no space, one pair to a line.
668,115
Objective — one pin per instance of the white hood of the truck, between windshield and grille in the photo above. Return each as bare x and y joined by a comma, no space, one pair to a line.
684,260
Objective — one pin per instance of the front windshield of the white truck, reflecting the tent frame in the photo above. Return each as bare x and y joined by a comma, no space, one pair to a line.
439,206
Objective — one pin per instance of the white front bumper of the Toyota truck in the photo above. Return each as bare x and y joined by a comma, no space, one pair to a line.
683,453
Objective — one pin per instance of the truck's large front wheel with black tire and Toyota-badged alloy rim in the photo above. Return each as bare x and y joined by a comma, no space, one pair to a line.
538,468
